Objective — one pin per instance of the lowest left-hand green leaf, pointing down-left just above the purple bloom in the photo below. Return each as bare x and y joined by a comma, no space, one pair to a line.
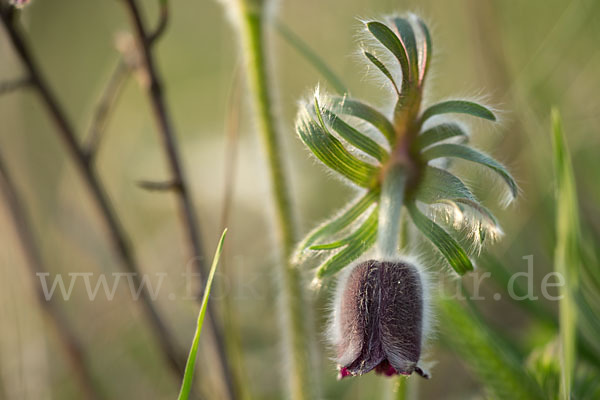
356,244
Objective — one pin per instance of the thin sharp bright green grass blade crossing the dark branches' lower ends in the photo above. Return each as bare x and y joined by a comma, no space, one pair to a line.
188,377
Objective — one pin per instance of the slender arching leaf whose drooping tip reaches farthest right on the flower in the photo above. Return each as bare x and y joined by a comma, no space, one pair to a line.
470,154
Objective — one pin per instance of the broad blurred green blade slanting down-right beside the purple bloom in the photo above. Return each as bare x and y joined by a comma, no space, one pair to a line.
491,361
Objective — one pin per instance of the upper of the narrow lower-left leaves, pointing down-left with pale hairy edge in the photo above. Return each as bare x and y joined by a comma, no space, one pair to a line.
346,218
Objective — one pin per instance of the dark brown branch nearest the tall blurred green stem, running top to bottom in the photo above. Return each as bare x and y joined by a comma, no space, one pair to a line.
186,207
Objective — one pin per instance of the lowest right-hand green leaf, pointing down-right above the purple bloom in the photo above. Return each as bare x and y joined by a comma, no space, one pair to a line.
450,249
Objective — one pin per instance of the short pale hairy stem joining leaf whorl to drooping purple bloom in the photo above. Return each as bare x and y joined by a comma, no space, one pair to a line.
390,207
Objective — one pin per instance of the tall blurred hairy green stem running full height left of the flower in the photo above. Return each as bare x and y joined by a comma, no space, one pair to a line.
252,31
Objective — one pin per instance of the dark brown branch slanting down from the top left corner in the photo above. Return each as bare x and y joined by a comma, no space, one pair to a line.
116,232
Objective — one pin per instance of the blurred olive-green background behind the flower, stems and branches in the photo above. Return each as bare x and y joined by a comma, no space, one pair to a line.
522,56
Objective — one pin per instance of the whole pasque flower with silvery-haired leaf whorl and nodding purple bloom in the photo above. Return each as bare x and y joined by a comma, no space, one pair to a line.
399,159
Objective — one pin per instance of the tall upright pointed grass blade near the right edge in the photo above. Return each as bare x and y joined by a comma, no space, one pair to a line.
566,257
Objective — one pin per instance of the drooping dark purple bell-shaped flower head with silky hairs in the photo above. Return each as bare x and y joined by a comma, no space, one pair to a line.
378,319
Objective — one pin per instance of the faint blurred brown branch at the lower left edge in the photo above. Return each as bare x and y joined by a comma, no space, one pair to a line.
66,335
